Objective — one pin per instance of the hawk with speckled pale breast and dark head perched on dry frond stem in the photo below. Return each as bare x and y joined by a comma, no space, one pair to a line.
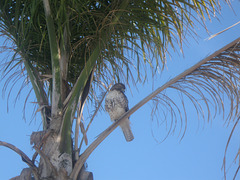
116,104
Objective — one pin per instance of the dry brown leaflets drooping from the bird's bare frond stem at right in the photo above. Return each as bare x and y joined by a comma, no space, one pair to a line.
207,88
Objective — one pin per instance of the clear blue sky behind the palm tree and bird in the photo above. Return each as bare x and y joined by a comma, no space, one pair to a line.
198,156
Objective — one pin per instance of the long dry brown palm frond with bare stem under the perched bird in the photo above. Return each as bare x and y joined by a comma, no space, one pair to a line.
212,76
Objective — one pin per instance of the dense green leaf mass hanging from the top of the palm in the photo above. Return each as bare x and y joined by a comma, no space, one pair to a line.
144,29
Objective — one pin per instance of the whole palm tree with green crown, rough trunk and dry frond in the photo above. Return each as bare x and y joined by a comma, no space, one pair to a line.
68,50
